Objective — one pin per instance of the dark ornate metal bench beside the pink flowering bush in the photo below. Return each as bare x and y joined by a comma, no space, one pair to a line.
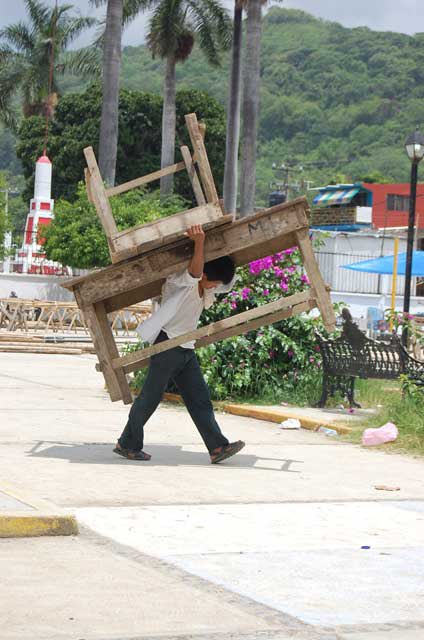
353,355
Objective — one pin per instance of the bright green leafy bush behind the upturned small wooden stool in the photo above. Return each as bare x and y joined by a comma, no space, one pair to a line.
75,237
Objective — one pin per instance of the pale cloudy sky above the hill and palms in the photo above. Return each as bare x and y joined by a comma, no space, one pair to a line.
406,16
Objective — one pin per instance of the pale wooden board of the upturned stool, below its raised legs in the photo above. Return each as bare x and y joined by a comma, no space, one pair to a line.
140,237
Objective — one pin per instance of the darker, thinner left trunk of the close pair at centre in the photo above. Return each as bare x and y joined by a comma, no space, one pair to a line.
233,116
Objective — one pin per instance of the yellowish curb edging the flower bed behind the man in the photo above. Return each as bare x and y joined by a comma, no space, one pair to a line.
270,415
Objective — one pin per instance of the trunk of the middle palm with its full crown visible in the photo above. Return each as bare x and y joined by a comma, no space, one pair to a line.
168,126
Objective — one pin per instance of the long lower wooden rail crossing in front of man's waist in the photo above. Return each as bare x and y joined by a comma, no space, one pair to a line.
212,329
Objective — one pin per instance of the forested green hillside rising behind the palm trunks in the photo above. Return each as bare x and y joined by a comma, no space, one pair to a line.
338,101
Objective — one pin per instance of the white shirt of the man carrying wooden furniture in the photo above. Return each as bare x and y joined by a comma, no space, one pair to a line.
180,308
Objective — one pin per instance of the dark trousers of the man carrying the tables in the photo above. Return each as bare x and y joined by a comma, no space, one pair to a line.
181,366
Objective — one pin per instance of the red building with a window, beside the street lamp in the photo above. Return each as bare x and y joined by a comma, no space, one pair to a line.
390,205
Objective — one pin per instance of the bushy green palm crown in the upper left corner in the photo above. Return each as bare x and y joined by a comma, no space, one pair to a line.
26,55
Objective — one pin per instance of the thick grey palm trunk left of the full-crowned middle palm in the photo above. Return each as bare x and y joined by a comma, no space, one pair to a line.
111,71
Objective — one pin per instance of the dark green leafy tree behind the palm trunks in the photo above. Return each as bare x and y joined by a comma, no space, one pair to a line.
76,125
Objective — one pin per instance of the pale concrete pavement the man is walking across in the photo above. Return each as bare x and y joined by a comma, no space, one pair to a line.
268,545
